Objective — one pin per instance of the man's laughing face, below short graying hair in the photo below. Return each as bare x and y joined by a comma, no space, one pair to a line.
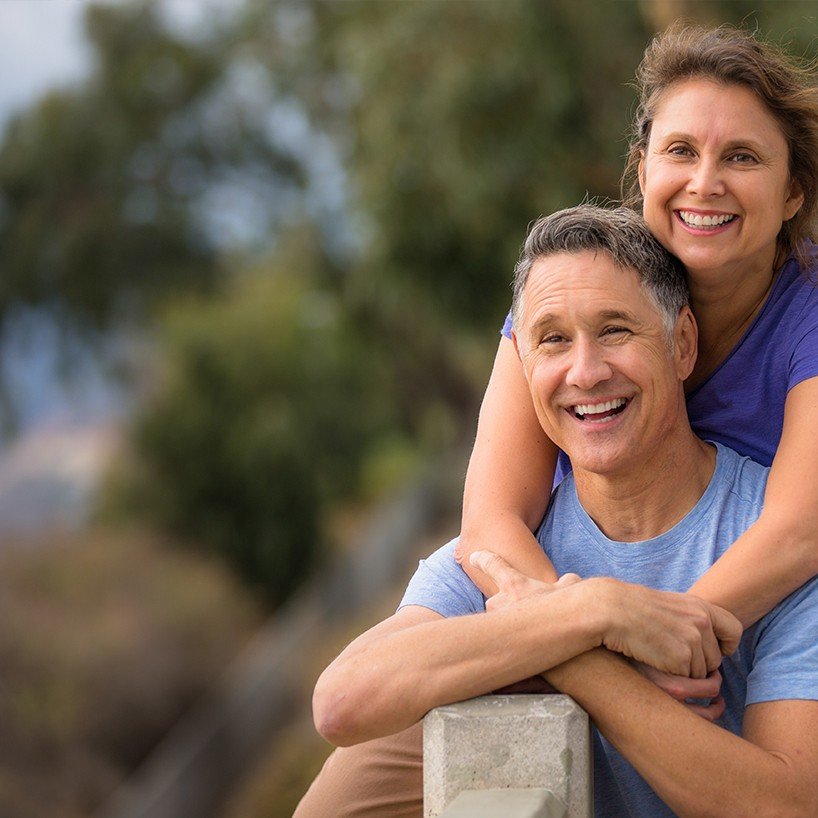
605,380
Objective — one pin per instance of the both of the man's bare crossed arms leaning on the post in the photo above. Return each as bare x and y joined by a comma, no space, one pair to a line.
392,675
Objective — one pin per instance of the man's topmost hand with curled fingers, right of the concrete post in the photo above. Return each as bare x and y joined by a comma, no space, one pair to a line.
677,633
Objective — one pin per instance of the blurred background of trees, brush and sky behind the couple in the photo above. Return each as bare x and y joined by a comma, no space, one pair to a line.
254,259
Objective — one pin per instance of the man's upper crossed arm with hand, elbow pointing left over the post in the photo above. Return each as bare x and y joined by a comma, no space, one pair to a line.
395,673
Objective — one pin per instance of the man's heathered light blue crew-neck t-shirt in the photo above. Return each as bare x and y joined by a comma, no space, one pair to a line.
776,659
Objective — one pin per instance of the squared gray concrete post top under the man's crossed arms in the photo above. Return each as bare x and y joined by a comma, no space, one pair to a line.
508,742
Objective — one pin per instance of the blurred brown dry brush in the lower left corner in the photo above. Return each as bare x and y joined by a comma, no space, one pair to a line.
105,640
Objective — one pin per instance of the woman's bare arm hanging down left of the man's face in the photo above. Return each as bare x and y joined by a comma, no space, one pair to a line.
509,477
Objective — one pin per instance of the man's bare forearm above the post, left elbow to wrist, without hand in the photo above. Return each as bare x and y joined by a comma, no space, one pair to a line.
394,674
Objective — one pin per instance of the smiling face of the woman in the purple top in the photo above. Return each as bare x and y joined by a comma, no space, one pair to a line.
715,180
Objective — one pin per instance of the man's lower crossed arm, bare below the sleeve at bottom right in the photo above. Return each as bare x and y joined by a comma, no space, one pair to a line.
698,768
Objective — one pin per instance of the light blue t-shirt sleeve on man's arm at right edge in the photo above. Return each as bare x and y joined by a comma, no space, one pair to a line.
785,662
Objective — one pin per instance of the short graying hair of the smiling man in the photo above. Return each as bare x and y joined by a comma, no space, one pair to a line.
623,235
